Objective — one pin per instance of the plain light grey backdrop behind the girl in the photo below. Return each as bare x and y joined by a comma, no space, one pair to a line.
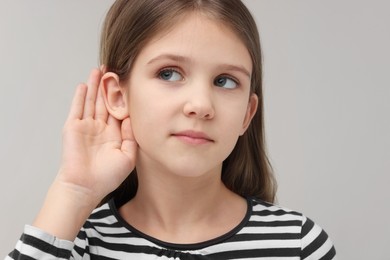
327,93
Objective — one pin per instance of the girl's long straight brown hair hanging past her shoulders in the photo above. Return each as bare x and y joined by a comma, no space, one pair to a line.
132,24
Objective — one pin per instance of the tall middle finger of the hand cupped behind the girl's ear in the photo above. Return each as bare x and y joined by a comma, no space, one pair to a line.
93,84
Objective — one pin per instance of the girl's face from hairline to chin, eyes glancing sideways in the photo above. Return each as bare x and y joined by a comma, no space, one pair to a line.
189,97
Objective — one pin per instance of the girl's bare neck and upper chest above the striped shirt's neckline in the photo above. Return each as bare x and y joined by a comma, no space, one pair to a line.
176,208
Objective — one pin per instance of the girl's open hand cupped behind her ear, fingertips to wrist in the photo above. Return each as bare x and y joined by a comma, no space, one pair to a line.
99,151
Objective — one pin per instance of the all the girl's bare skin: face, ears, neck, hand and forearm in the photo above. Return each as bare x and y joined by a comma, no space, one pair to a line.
176,119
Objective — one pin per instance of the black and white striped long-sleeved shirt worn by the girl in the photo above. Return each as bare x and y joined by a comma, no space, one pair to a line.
266,232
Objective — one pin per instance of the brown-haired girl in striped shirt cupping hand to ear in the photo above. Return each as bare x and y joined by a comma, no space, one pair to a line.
178,105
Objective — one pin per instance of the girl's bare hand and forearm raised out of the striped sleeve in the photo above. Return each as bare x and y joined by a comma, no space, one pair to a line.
98,154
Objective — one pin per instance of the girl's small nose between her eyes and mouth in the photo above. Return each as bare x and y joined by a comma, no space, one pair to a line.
199,103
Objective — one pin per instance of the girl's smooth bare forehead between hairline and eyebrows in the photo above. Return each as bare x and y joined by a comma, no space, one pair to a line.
201,38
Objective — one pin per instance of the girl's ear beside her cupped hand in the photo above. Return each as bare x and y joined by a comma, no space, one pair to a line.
114,96
